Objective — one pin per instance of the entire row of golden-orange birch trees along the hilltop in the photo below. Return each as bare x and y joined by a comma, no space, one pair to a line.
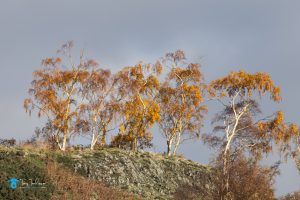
85,99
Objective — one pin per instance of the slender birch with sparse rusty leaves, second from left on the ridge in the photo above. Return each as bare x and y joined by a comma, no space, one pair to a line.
99,106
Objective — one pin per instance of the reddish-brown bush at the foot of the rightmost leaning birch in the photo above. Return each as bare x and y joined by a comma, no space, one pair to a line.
247,180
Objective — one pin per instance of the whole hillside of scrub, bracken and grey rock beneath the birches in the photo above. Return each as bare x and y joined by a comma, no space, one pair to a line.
102,174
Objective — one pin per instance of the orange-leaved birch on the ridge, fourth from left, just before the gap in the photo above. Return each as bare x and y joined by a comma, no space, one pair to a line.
180,98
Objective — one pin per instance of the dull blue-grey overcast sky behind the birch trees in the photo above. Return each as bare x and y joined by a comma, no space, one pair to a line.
253,35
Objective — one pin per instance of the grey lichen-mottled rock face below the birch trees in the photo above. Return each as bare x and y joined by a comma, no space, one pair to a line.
149,175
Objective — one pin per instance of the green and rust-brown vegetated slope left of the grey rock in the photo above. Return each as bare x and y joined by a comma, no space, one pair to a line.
60,183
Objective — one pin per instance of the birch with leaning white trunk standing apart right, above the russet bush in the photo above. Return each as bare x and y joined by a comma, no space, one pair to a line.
242,131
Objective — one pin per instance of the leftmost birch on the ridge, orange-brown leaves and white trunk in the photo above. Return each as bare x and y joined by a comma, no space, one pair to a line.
53,93
